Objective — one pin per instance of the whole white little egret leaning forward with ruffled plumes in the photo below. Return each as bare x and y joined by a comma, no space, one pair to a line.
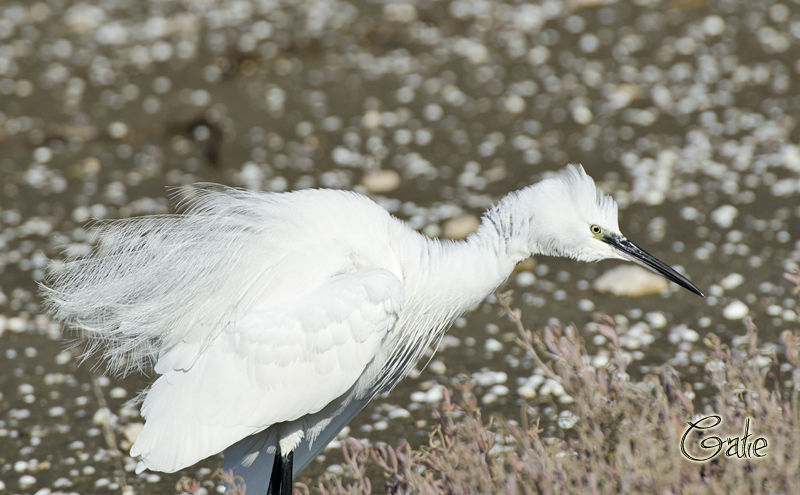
271,319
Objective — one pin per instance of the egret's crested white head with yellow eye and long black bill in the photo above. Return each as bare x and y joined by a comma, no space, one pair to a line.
573,219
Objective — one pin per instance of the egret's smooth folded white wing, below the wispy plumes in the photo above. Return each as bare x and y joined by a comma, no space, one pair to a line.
276,363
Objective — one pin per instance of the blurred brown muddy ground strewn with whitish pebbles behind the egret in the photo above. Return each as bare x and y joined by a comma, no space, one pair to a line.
686,111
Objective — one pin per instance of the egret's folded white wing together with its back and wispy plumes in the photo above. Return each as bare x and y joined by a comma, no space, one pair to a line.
255,308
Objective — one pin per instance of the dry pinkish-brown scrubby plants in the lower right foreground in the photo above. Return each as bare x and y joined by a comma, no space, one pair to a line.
628,436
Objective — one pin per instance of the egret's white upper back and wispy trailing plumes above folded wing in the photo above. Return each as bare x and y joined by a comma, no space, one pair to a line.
153,282
